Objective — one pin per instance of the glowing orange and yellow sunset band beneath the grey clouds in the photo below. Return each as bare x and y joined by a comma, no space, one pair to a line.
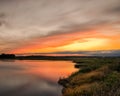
91,40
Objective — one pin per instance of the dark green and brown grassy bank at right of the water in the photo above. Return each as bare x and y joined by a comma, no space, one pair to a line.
95,77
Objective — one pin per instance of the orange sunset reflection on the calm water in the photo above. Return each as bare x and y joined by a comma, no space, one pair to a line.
51,70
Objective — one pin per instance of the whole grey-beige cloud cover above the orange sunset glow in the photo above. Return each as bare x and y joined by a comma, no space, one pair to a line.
35,19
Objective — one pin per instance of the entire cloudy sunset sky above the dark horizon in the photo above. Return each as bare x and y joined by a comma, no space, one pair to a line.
60,26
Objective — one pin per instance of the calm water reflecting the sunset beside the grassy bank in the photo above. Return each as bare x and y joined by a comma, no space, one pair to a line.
32,78
